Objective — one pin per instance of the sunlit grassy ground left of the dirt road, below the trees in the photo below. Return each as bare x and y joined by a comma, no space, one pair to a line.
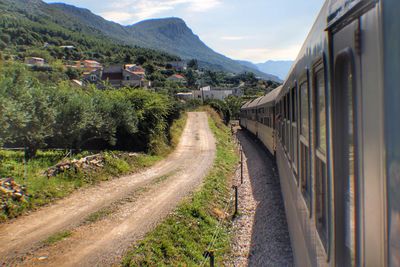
42,190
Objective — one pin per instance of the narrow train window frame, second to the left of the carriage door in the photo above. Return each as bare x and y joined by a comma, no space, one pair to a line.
305,155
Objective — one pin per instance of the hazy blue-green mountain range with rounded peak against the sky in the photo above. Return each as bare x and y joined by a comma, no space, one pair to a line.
170,35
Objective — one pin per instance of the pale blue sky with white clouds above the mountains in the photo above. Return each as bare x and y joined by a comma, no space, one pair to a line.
253,30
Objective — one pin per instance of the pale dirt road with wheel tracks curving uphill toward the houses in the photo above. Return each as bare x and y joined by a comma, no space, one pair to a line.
103,242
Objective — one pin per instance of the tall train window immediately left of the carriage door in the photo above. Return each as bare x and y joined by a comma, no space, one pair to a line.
321,183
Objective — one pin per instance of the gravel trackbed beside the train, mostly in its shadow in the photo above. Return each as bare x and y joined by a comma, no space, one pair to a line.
261,236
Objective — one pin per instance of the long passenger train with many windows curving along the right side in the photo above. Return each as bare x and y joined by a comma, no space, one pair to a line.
334,129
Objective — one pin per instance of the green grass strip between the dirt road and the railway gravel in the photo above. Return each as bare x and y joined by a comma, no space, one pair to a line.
184,236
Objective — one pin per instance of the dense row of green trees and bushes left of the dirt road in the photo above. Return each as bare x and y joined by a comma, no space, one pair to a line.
35,115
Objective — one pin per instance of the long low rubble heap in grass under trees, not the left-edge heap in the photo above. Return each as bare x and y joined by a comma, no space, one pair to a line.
86,163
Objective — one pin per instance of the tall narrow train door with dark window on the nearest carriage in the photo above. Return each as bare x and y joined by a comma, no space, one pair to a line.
346,89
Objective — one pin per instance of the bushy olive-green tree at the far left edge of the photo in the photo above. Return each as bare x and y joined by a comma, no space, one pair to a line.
28,112
